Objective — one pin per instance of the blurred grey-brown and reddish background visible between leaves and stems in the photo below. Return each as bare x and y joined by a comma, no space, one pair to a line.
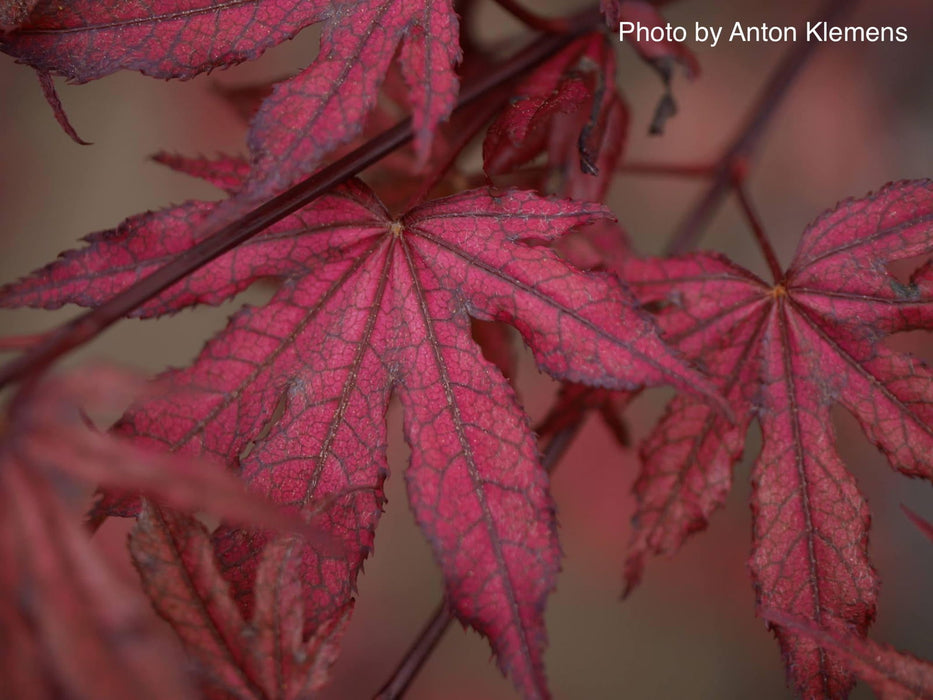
860,116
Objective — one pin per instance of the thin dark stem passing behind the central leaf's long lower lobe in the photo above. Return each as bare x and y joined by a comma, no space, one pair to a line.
432,632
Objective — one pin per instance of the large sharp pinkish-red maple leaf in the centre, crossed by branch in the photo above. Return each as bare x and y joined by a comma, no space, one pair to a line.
294,394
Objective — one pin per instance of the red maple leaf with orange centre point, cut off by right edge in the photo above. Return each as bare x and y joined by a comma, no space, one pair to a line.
786,353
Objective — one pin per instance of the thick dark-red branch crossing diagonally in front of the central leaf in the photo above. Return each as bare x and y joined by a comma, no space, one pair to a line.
90,324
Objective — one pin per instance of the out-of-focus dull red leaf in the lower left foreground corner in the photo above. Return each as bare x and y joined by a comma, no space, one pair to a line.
80,630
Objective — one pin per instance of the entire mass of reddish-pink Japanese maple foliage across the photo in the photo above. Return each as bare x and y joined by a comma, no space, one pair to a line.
292,396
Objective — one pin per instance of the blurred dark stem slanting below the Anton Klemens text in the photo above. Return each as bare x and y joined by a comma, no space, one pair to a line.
743,146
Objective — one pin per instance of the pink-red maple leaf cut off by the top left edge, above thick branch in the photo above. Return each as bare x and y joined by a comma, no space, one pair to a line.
307,115
